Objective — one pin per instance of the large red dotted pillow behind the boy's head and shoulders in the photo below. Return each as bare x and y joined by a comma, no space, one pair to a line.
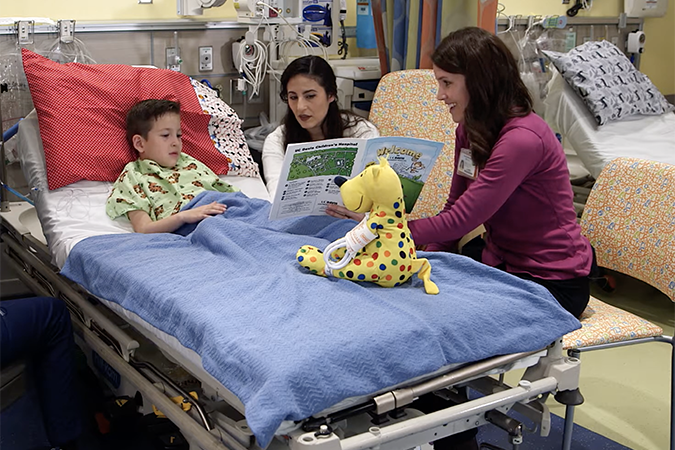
81,111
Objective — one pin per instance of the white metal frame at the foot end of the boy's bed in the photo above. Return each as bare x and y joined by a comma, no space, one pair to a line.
557,373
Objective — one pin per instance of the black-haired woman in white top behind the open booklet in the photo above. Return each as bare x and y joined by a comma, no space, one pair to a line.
309,87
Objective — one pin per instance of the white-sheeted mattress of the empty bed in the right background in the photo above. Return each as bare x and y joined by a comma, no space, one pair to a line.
645,137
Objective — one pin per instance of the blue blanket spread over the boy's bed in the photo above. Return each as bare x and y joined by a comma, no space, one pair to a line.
290,344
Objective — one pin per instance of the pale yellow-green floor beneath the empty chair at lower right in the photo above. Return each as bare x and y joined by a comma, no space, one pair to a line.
627,389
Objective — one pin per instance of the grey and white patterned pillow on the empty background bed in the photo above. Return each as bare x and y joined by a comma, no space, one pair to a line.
608,83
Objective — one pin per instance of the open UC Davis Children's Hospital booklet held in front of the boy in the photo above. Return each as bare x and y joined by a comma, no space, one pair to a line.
306,184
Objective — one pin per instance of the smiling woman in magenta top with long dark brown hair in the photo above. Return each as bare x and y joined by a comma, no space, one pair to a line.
514,178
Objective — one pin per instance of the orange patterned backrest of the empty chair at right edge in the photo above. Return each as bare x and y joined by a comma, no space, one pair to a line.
629,219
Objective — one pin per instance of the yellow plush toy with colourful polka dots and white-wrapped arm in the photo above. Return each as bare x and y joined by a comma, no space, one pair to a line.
380,248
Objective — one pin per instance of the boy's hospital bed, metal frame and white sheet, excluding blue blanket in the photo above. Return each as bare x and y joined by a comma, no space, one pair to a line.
118,340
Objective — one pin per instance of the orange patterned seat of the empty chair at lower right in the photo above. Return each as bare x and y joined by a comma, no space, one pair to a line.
604,324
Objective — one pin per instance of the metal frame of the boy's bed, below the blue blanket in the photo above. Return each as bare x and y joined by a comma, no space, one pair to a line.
217,421
